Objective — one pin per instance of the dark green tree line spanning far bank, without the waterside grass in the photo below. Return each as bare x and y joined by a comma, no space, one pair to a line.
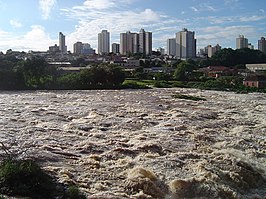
36,73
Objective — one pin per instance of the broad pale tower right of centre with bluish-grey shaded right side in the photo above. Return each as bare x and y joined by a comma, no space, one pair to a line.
185,44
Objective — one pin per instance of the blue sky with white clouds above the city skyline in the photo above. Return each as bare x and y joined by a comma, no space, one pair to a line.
34,24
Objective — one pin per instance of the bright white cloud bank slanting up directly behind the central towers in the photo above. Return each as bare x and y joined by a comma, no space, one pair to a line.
87,30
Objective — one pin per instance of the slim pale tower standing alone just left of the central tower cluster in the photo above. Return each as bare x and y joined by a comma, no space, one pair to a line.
104,42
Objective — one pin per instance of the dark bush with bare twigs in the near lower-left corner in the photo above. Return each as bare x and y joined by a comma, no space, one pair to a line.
22,176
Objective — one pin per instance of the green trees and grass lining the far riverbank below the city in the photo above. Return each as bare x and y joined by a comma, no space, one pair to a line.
36,74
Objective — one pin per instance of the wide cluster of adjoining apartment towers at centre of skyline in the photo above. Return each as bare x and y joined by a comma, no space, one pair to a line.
136,43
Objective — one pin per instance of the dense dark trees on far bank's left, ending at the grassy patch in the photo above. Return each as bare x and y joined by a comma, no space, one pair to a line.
36,73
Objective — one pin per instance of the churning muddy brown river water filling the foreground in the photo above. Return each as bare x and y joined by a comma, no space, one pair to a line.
142,143
